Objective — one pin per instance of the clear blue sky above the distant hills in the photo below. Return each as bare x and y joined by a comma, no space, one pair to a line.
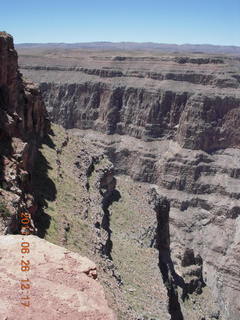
164,21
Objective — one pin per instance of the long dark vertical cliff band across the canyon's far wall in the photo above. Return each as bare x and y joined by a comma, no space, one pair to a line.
196,121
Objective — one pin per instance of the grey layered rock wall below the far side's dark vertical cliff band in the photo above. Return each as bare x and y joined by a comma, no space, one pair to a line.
204,197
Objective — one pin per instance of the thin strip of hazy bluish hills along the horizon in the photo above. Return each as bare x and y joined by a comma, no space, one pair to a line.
146,46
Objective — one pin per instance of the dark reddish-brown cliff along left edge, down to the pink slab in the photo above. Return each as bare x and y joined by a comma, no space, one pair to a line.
23,123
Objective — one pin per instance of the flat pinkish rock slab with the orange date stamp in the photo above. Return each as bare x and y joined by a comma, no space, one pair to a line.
63,284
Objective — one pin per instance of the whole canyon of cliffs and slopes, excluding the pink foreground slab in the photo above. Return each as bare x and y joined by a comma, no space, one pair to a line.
139,171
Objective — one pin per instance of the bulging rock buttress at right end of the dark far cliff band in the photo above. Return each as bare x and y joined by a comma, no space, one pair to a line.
210,122
